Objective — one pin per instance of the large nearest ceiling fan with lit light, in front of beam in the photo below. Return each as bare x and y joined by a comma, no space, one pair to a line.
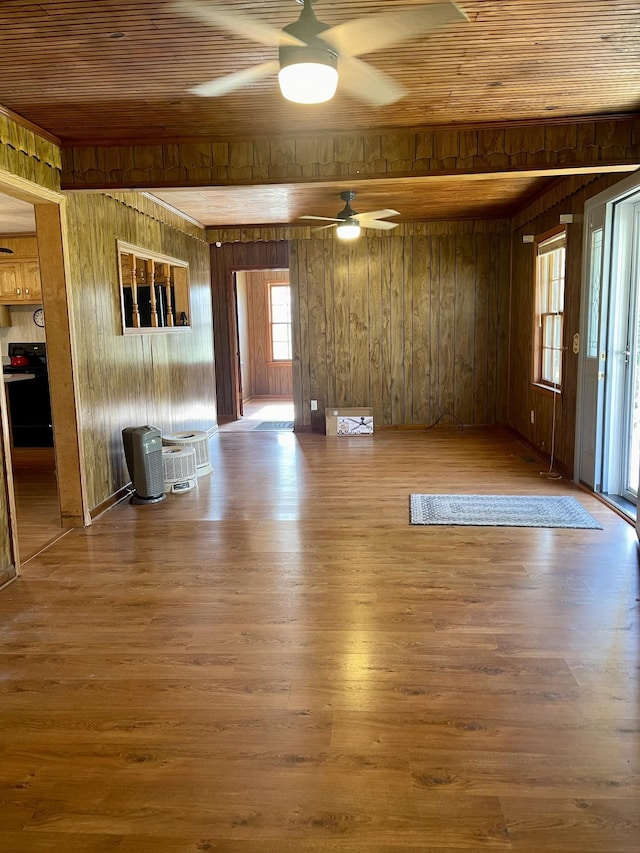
312,53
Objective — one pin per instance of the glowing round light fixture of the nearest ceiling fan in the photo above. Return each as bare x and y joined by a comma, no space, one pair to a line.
308,75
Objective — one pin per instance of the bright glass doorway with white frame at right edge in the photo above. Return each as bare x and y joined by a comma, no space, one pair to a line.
608,440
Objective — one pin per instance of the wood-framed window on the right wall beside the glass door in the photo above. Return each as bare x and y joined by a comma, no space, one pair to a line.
549,310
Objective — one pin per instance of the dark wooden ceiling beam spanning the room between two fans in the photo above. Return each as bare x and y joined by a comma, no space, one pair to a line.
556,148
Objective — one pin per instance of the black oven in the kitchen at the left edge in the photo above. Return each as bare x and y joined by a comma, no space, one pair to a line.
29,403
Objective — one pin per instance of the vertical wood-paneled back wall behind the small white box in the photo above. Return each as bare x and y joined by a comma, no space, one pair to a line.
423,296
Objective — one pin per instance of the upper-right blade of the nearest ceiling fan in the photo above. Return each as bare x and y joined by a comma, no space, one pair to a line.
364,35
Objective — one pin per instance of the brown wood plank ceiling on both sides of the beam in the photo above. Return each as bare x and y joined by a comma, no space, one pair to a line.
120,73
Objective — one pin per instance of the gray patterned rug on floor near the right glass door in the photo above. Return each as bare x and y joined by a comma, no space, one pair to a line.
500,511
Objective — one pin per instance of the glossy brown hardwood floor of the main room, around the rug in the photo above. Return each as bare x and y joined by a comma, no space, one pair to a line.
279,662
